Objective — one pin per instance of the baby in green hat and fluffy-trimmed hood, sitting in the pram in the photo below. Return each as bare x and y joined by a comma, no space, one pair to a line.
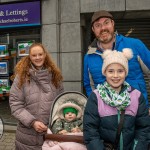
69,119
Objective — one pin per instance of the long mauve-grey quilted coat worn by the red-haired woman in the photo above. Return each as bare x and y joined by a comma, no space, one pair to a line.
32,102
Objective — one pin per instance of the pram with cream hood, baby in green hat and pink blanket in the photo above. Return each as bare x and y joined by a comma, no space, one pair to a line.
66,120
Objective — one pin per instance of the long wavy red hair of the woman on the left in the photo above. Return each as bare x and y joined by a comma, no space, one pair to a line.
23,66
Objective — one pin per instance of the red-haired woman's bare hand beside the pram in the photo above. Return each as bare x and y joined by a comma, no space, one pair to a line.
39,126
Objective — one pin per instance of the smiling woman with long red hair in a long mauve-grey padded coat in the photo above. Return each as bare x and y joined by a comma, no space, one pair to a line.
37,82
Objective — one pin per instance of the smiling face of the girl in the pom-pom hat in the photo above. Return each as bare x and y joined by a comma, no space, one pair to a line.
115,76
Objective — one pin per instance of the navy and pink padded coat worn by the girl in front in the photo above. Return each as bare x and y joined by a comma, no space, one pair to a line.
101,123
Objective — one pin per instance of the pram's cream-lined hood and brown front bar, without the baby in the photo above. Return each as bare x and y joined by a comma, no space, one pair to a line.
81,99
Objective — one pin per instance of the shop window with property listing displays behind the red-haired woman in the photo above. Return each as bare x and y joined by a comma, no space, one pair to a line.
14,44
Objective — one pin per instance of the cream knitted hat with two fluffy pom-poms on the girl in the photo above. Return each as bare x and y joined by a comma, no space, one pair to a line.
114,56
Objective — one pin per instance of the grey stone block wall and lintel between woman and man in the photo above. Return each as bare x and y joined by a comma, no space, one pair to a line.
62,35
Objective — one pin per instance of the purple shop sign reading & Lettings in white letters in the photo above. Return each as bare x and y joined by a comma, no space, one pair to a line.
20,14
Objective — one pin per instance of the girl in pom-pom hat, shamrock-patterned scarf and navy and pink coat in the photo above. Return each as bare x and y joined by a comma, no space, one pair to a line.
106,104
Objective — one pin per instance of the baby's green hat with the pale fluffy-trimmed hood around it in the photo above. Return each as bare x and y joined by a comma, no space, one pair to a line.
69,106
